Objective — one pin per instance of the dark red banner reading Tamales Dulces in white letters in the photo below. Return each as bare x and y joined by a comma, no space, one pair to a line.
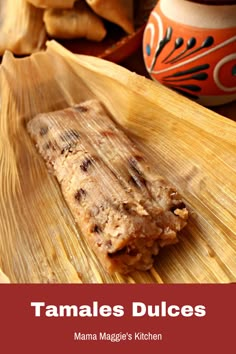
114,318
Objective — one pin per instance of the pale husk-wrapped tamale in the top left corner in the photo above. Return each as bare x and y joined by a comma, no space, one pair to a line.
22,29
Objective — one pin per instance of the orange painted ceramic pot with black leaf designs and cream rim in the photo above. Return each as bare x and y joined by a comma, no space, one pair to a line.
190,46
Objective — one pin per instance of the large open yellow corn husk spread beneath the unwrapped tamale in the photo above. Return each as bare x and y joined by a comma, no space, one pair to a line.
191,146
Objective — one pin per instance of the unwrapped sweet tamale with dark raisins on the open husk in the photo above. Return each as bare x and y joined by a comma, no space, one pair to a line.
123,207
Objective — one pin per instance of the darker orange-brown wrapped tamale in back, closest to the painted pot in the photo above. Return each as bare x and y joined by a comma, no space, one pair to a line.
116,11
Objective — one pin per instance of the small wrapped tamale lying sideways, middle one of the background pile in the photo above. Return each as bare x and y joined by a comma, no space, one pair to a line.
79,22
